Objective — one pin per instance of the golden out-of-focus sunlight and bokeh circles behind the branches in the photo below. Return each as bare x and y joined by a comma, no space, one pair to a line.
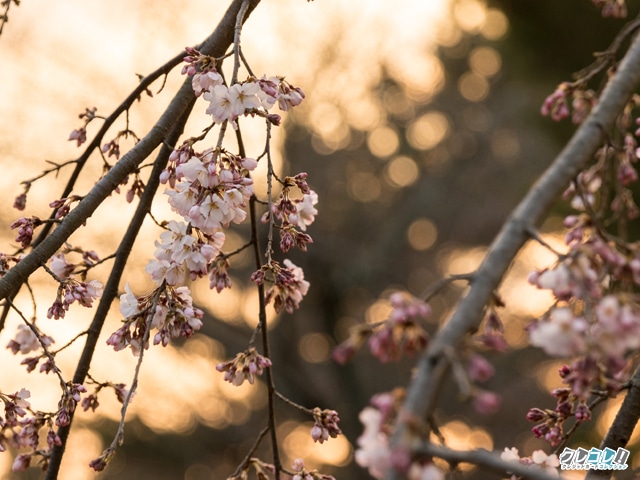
58,58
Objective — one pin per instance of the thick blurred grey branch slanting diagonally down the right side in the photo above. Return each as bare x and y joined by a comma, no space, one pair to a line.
422,392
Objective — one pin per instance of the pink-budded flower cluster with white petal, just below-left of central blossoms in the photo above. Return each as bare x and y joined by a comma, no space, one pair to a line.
170,311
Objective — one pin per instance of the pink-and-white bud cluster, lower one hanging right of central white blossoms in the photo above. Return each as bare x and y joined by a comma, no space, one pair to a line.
289,285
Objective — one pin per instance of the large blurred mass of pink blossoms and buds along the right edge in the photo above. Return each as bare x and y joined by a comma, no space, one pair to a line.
596,317
